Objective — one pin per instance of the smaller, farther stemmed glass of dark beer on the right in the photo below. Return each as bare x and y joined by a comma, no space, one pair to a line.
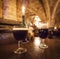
43,33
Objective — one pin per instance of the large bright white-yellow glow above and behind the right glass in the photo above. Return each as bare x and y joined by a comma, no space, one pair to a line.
39,24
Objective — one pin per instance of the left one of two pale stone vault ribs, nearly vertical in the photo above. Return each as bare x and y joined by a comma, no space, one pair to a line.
47,10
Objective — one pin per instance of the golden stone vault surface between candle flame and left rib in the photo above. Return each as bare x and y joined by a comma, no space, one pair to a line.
37,9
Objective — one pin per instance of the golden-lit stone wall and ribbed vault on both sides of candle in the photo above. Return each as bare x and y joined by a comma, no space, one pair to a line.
45,9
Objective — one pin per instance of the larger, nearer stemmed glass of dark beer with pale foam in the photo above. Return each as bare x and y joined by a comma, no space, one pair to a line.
20,35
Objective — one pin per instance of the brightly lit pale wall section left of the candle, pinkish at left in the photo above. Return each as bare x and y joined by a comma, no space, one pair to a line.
9,9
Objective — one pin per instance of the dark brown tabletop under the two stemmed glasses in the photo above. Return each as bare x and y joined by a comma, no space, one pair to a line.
52,52
